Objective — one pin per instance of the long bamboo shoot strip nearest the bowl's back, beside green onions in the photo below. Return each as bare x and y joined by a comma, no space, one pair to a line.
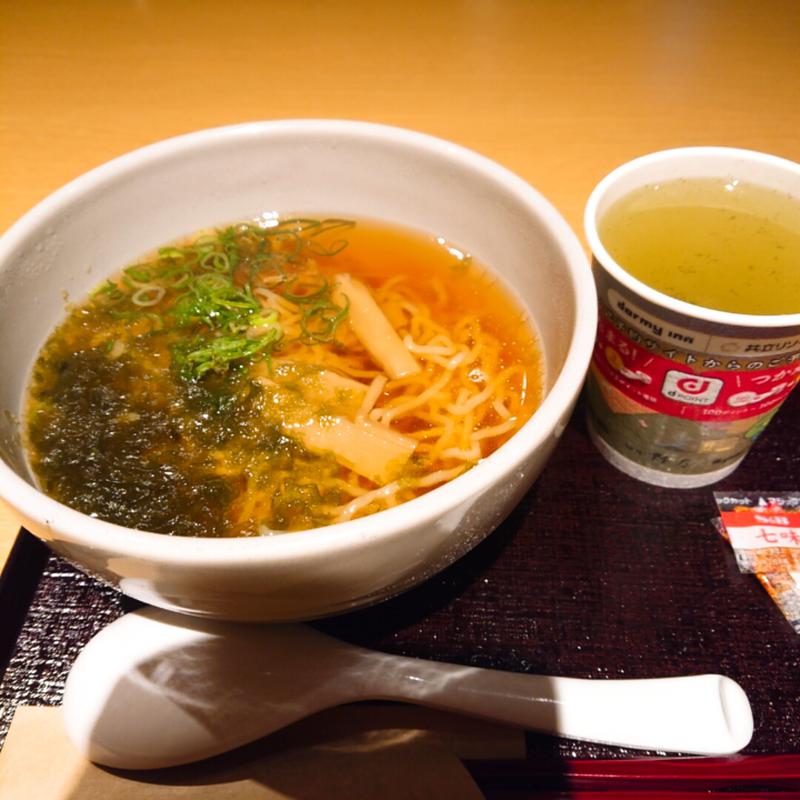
373,330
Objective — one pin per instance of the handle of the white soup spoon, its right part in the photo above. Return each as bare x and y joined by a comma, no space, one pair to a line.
698,714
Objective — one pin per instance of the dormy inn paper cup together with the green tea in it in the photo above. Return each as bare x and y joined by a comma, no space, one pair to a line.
697,263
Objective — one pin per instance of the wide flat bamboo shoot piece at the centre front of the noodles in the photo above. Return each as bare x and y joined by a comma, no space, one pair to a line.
373,451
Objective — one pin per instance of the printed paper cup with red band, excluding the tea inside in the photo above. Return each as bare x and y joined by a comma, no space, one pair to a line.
677,393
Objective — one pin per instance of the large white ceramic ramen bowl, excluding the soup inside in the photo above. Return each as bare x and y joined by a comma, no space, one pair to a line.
107,218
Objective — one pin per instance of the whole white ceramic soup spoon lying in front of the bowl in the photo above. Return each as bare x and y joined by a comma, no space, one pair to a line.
156,689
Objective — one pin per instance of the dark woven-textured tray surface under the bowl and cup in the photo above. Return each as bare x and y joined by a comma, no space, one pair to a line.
594,575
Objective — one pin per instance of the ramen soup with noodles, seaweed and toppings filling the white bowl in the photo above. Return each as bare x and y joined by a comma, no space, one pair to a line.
278,375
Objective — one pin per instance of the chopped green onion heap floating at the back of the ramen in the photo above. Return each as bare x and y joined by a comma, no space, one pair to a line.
206,288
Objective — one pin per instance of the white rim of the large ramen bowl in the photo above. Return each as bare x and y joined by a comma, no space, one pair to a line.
547,420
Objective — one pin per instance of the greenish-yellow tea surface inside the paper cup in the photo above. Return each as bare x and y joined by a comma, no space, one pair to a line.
716,242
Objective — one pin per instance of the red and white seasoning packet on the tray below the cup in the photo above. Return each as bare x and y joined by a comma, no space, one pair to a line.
763,529
